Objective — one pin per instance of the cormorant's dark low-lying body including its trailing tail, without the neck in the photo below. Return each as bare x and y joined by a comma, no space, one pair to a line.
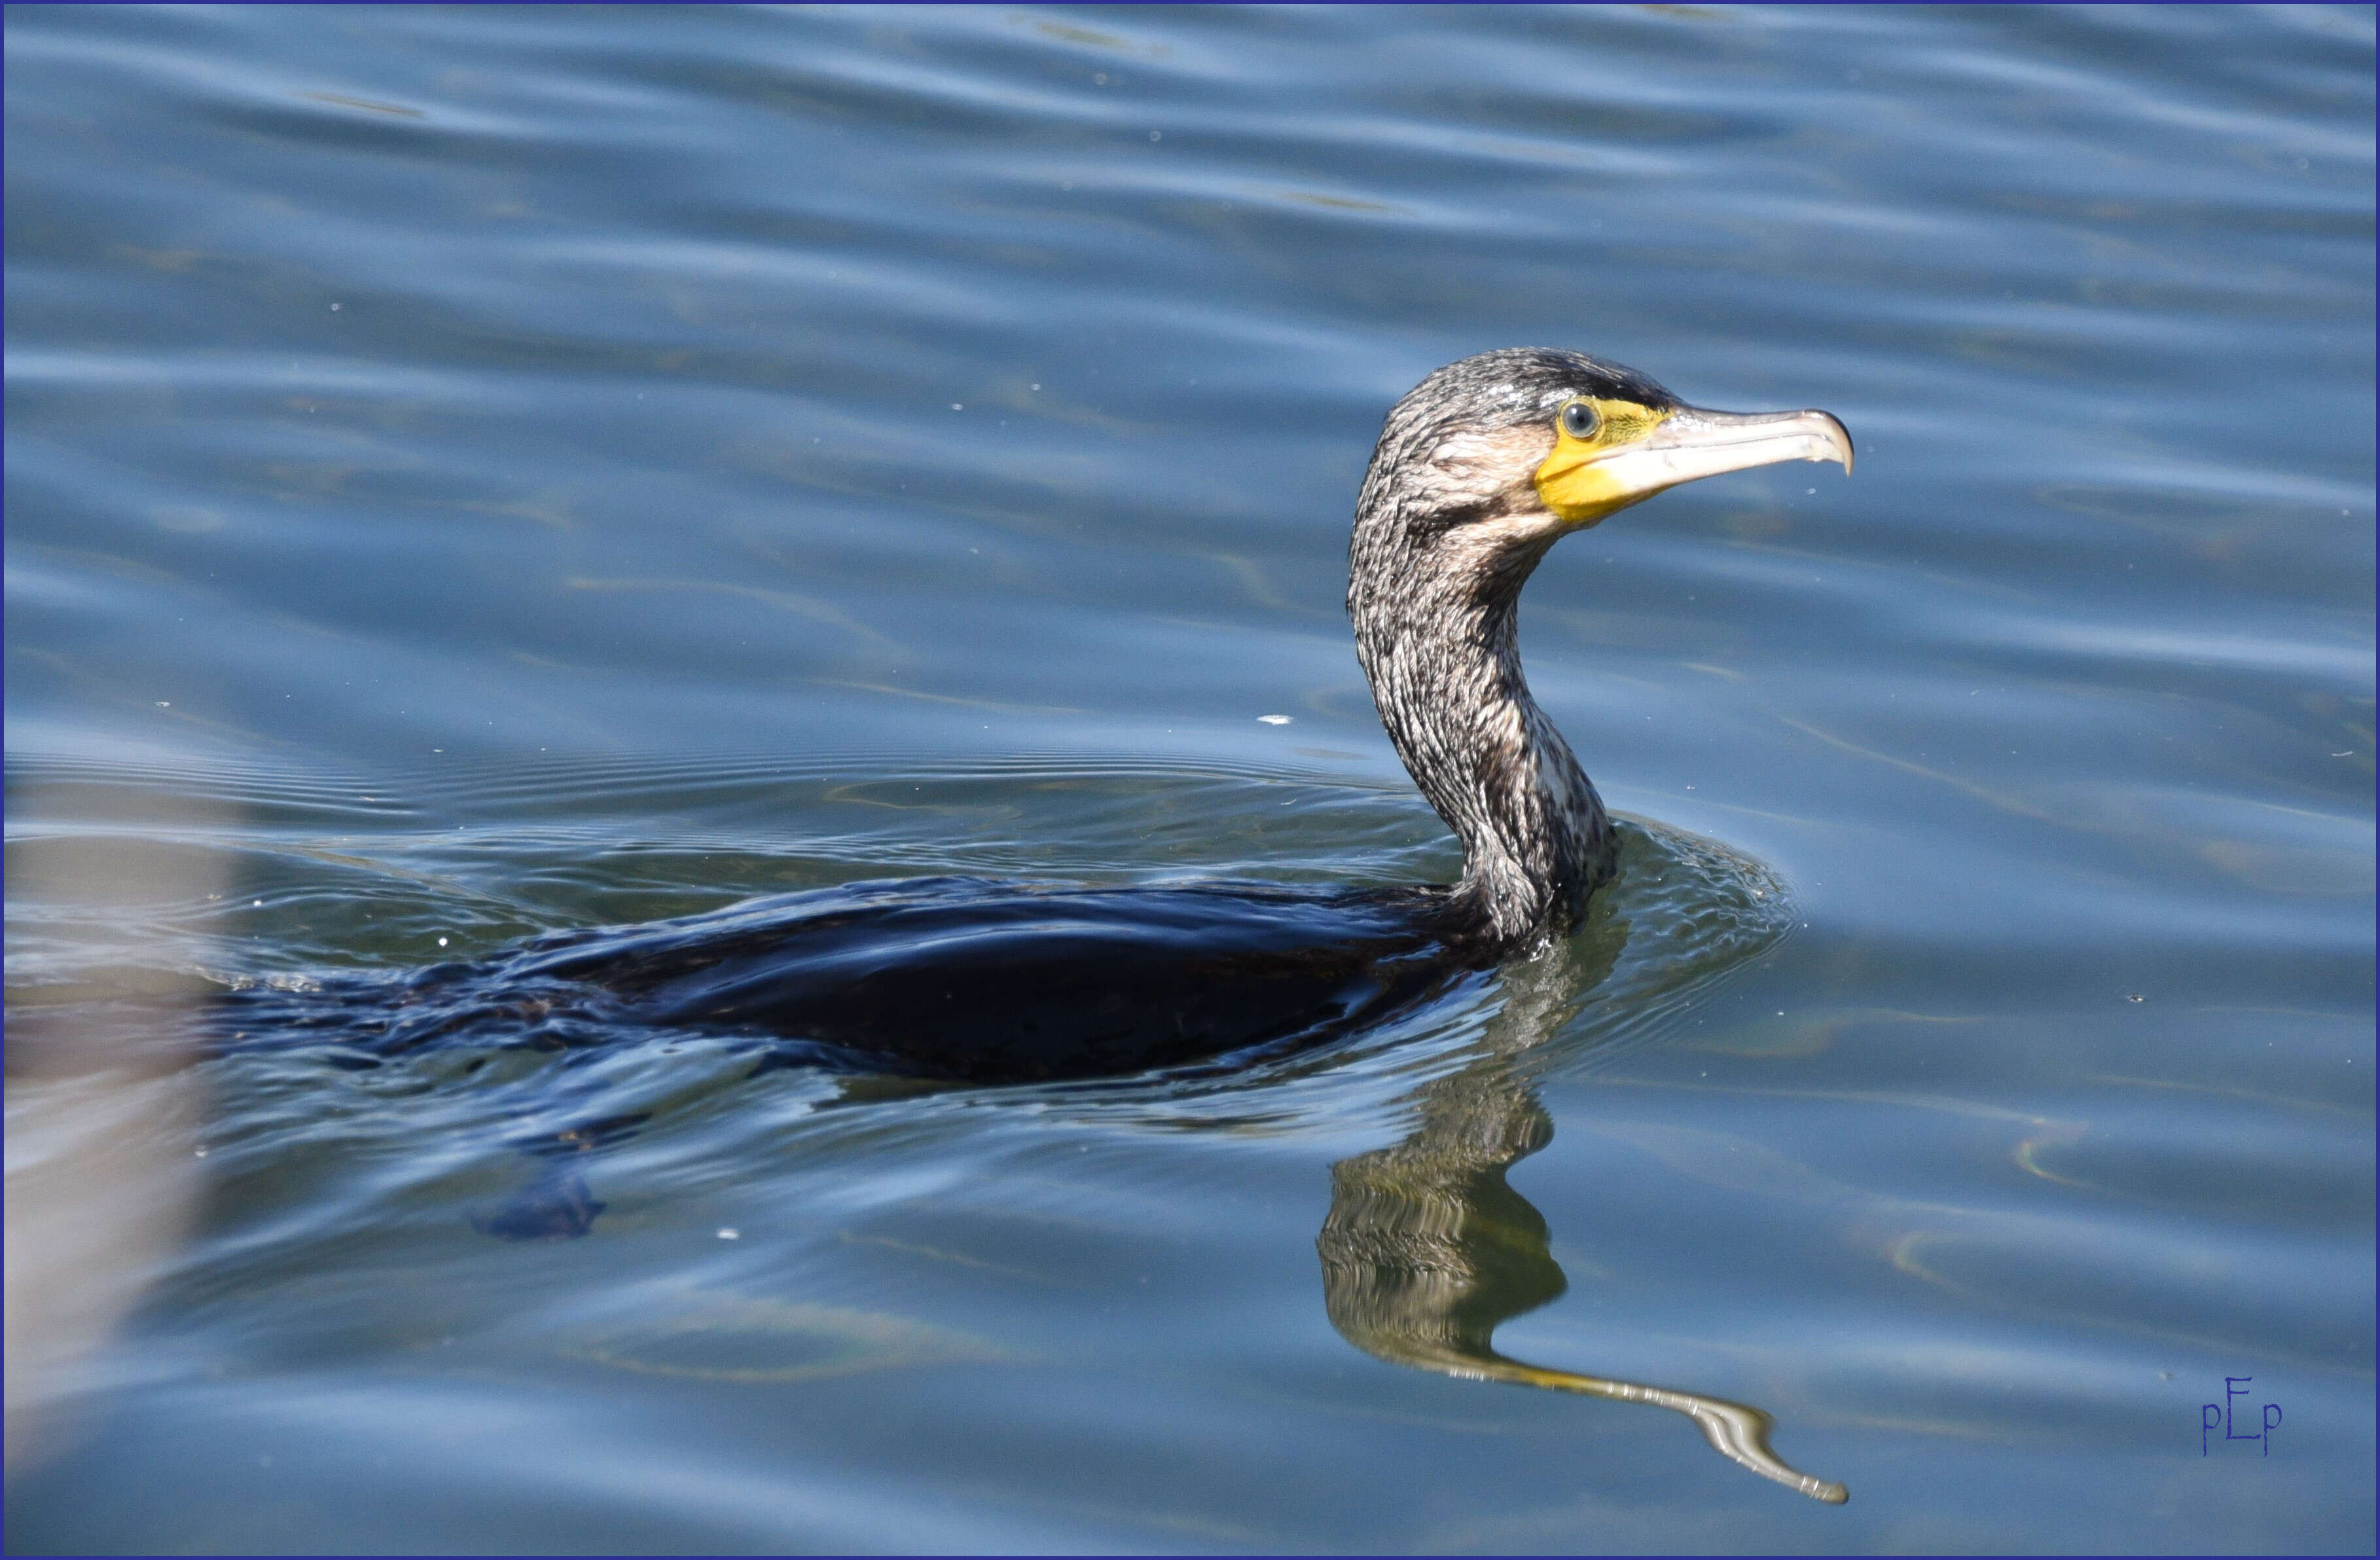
946,978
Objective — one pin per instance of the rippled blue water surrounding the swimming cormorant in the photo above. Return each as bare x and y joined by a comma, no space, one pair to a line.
475,473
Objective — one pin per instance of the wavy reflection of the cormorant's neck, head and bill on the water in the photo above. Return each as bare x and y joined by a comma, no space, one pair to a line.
1429,1249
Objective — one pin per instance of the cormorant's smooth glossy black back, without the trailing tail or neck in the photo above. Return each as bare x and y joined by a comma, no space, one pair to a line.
1013,982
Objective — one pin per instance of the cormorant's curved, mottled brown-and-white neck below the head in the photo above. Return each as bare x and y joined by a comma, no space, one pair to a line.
1446,673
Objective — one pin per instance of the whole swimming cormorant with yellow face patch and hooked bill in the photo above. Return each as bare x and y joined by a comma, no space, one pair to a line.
1479,470
